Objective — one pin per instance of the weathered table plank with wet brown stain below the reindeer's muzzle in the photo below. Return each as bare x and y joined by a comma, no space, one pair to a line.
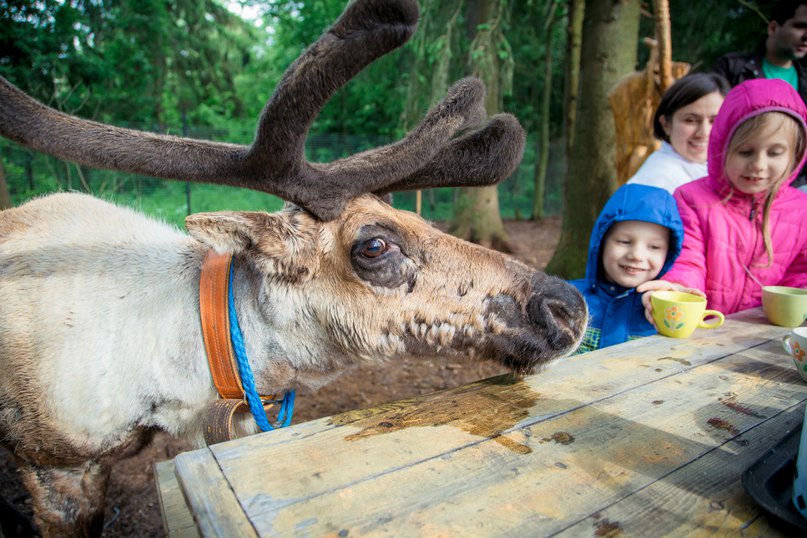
472,413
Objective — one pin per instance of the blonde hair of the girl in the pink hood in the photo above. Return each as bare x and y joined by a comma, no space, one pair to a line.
763,124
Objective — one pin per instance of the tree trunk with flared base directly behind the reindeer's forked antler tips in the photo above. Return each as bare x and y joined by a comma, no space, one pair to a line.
477,218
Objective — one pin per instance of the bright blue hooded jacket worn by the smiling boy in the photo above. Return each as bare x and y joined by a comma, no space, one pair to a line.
616,314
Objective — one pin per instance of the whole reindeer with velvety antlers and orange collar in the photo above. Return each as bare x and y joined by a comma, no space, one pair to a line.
101,340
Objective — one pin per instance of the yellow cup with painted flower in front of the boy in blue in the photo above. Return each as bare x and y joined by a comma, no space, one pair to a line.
678,314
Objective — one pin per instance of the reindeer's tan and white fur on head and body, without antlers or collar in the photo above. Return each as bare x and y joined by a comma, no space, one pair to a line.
100,341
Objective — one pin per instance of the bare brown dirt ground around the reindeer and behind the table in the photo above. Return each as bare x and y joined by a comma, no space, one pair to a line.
132,506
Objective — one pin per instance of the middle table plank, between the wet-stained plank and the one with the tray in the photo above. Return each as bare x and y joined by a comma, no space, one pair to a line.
578,462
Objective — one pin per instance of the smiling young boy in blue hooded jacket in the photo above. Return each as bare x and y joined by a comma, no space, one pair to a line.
636,238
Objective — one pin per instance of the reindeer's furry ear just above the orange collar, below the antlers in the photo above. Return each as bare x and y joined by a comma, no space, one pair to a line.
278,244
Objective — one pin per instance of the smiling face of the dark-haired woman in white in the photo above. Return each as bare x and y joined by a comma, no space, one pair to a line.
689,127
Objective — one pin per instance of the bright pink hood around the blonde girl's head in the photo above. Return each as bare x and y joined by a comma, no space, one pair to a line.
744,101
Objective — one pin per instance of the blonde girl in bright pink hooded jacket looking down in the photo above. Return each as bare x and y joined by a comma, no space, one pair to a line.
744,225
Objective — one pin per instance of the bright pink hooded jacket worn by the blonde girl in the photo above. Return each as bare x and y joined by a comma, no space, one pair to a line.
724,253
